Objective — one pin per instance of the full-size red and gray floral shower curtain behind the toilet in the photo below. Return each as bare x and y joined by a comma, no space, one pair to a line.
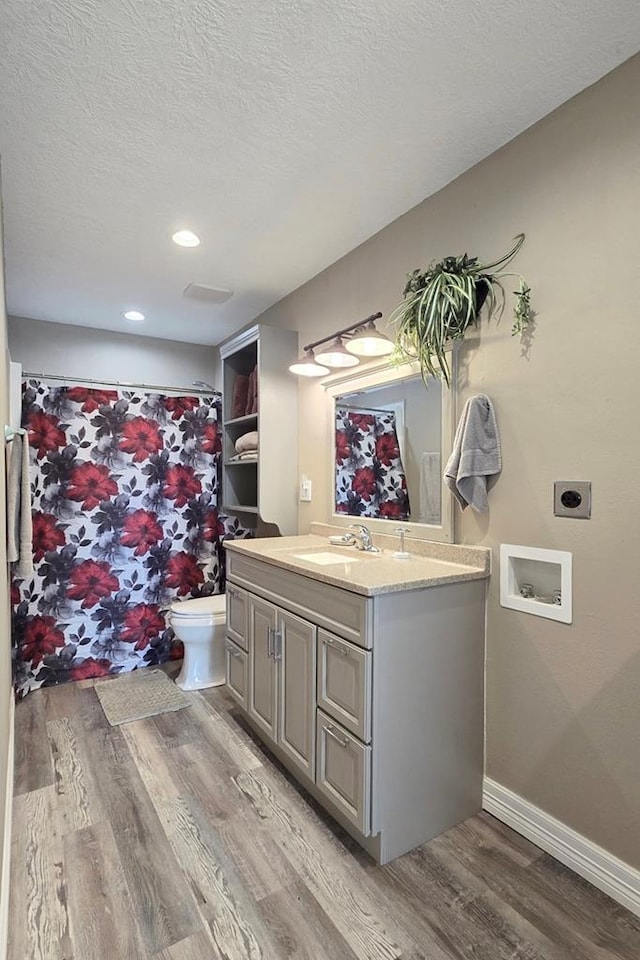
125,521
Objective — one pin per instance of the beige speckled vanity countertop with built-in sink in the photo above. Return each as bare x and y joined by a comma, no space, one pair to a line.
365,573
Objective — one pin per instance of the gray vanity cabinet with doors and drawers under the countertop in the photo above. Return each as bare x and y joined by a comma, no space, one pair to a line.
375,703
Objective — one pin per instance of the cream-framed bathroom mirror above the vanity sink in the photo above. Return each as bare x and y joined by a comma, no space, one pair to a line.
392,438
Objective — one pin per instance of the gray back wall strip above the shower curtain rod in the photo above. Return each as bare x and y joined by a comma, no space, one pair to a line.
69,350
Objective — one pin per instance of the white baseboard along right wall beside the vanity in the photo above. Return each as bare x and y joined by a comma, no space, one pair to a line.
616,878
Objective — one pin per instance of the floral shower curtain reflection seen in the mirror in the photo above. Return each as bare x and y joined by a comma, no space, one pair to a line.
370,478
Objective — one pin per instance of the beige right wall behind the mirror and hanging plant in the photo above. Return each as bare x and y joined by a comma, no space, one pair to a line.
563,708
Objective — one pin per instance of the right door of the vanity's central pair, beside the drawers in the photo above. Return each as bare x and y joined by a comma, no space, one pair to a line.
296,653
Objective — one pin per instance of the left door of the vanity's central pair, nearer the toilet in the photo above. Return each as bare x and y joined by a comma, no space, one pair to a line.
263,677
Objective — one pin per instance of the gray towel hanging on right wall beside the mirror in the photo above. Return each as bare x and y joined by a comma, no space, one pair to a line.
476,454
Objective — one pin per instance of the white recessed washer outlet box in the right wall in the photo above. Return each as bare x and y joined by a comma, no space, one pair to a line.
536,581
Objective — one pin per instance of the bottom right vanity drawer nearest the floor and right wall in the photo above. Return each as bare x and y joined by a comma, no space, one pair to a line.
343,772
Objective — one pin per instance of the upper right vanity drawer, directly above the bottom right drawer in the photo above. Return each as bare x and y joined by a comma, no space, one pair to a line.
344,683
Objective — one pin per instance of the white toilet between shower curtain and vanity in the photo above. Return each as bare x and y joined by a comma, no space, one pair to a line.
200,624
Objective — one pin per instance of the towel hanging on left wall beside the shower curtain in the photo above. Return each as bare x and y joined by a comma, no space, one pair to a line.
19,526
